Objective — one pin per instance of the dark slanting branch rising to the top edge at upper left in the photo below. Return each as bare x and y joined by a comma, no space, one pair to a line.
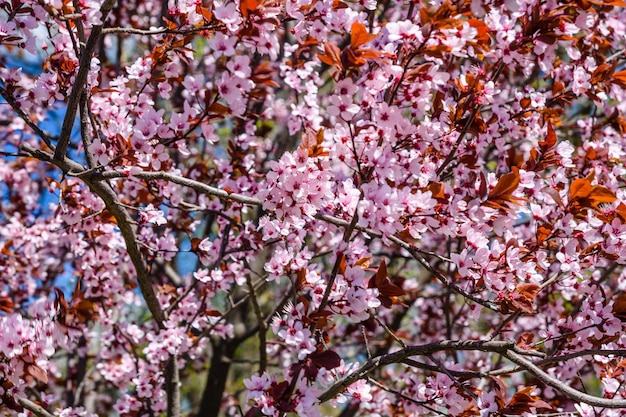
79,83
